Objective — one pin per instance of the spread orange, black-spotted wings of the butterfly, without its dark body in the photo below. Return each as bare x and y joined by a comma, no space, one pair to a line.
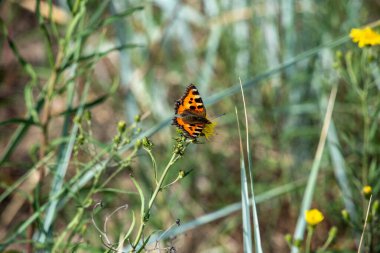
190,103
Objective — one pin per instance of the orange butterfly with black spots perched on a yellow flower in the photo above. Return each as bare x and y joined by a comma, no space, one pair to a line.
190,114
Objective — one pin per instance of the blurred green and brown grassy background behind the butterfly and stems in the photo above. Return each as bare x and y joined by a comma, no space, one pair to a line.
123,59
